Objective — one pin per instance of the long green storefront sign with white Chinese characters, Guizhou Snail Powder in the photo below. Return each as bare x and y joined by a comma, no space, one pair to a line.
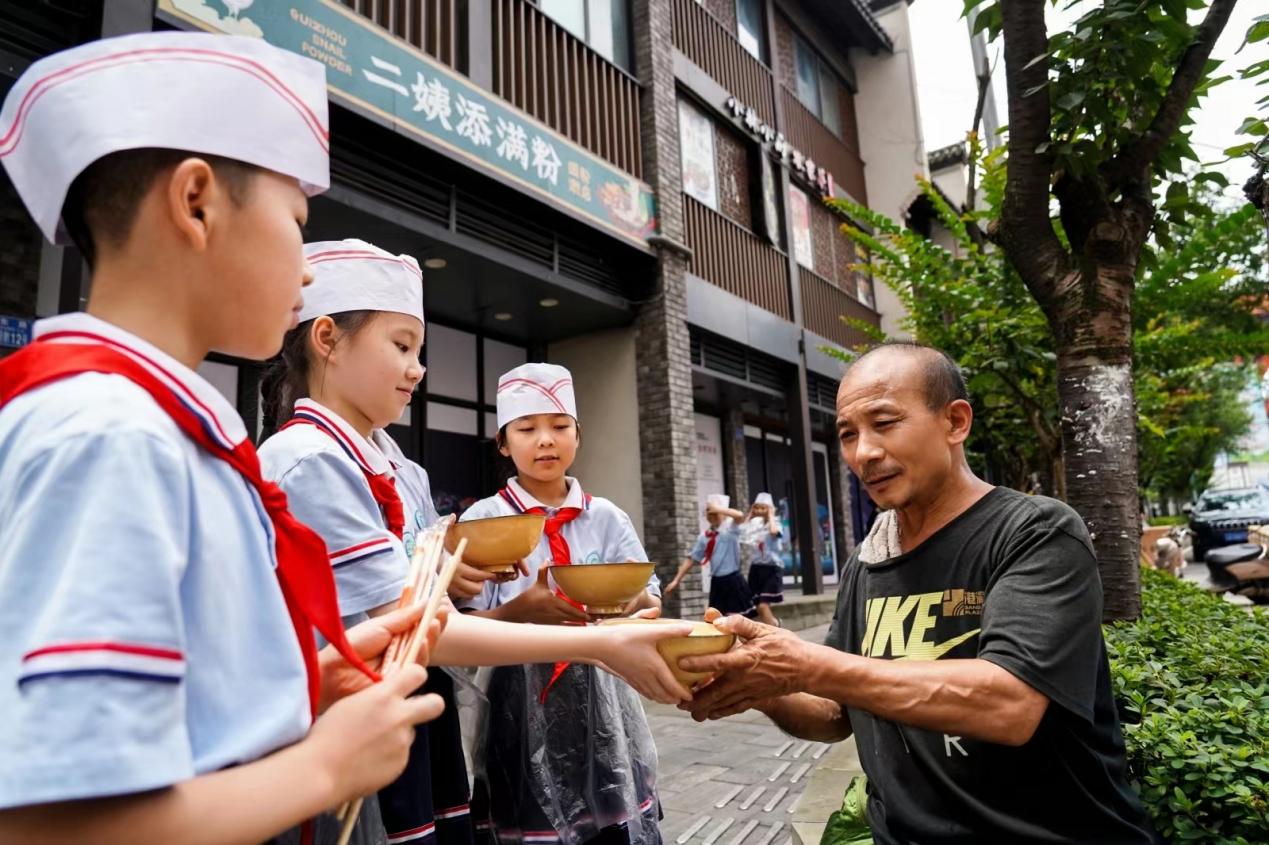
376,73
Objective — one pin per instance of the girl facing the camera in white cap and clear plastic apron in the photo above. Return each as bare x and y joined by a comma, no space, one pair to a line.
567,756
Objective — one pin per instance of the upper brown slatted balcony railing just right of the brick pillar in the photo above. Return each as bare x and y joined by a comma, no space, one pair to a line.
707,43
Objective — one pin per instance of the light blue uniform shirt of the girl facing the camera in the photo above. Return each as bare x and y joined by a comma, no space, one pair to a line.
602,535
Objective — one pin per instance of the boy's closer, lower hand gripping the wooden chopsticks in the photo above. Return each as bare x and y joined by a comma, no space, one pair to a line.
365,740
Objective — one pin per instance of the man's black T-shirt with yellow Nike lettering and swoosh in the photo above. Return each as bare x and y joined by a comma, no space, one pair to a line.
1012,580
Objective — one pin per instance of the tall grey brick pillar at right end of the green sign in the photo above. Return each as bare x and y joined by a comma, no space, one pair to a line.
664,367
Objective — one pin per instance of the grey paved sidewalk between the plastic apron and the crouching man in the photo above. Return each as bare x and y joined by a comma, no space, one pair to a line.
743,781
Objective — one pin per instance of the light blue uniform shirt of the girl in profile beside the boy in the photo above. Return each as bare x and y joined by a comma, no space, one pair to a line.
322,465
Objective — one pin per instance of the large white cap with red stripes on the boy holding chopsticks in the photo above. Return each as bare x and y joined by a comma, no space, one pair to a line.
224,96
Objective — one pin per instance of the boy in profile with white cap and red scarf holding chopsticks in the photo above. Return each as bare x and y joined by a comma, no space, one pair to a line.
158,602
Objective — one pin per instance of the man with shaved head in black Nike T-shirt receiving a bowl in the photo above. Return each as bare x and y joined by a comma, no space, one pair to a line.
966,654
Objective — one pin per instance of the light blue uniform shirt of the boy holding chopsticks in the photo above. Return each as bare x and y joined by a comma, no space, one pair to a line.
144,639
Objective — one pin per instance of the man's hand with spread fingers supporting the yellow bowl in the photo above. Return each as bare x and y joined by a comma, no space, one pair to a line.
771,663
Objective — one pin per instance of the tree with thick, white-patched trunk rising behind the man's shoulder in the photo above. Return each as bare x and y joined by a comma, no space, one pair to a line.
1098,122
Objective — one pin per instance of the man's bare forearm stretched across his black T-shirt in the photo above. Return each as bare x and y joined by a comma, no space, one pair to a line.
971,698
